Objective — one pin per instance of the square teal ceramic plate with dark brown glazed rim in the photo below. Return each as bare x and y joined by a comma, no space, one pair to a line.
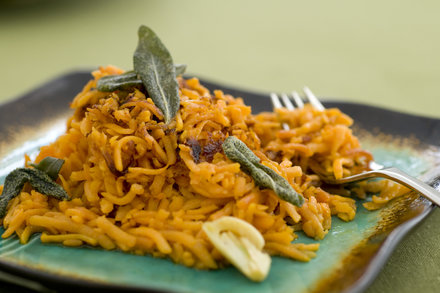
349,257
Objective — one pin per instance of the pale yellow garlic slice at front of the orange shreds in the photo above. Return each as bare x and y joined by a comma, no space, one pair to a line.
240,243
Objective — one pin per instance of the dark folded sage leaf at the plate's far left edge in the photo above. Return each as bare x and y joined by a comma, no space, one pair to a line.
38,179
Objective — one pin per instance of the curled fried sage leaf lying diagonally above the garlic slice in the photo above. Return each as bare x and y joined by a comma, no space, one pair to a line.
264,176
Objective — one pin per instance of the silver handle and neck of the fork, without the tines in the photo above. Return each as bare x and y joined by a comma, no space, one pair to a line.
401,177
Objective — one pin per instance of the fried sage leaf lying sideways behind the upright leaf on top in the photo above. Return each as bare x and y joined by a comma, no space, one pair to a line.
128,80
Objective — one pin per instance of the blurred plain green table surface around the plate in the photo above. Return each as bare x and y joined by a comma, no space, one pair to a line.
384,53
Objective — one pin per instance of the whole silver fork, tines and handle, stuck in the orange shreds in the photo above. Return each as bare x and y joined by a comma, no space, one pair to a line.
377,170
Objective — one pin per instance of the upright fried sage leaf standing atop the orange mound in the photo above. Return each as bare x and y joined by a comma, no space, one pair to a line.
154,65
